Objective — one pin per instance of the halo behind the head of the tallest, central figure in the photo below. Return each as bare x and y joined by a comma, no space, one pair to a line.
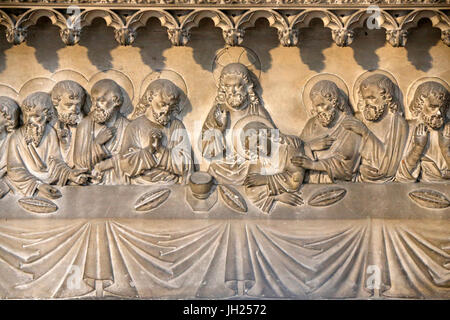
242,55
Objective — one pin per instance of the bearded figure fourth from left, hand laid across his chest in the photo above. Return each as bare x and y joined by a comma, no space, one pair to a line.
99,135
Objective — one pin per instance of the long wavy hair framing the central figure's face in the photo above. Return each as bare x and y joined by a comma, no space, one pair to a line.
241,70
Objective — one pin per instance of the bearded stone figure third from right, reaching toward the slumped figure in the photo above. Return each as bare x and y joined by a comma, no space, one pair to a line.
332,151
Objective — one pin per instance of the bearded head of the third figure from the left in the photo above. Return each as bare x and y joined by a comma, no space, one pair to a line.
68,99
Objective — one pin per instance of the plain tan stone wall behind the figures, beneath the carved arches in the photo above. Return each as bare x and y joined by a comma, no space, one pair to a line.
284,70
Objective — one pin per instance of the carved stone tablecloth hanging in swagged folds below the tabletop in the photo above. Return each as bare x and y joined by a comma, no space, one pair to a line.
305,259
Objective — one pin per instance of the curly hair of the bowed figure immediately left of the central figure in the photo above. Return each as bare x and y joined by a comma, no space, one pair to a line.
166,87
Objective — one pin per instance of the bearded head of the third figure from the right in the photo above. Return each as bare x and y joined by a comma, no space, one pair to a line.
327,102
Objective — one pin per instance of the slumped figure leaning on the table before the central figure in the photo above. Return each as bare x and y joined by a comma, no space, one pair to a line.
272,176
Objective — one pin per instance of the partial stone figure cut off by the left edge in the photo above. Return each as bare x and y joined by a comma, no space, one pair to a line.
9,119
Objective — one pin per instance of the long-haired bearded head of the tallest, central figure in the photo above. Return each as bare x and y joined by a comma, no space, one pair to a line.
236,87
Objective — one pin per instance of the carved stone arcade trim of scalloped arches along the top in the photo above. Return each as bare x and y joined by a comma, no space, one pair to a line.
233,23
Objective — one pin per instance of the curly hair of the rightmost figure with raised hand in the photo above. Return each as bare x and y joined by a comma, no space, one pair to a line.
429,88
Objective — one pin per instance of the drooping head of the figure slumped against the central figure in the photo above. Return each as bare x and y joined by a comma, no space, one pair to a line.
256,138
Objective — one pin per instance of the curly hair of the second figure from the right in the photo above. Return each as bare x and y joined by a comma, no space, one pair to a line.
387,90
